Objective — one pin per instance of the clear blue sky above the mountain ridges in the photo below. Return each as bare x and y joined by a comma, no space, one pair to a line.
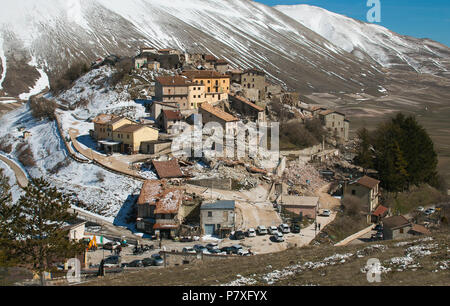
418,18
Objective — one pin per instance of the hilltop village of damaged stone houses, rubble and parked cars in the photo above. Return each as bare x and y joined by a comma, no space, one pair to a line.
244,203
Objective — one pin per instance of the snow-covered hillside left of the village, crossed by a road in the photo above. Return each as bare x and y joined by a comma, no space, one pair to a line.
102,192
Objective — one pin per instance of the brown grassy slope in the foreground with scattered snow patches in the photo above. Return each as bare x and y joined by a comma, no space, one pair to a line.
345,273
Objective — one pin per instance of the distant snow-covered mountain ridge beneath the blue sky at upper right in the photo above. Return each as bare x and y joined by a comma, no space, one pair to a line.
371,41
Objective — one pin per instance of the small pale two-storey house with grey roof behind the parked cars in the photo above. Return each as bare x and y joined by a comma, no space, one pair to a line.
218,218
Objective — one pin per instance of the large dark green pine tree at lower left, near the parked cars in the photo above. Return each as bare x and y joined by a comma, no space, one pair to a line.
38,220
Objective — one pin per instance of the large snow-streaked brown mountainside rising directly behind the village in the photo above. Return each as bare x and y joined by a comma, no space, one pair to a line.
49,34
